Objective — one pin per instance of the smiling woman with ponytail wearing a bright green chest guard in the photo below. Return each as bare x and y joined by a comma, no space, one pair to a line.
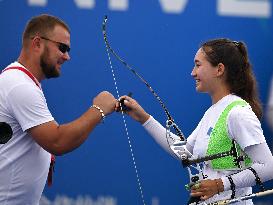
222,70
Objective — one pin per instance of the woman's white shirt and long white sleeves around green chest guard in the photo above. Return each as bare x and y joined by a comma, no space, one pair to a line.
244,127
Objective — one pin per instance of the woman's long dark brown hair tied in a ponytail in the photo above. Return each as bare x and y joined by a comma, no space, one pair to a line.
239,74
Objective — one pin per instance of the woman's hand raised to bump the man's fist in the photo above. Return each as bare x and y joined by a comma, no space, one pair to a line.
134,110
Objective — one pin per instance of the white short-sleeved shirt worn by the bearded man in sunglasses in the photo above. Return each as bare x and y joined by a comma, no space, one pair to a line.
24,164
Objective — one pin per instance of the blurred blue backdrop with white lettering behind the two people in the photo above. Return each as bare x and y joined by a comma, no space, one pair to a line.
159,39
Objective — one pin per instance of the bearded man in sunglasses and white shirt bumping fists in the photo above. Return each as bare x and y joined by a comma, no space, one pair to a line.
25,158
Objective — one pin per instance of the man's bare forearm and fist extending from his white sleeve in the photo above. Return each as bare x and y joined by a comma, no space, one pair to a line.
60,139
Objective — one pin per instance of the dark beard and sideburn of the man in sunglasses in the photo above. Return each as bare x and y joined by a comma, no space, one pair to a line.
49,70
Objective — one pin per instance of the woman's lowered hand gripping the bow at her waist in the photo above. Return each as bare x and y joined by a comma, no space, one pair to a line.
207,188
